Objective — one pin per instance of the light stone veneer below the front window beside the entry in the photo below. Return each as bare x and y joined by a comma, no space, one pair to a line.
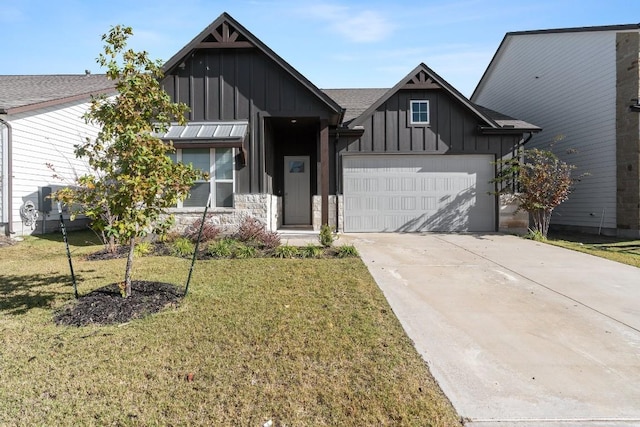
265,207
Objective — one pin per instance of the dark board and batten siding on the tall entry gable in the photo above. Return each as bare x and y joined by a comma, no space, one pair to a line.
242,84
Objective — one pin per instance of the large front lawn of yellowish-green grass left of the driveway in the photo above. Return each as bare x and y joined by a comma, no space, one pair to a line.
303,342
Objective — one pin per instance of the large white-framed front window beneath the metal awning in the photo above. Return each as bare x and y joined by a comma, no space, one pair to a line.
219,163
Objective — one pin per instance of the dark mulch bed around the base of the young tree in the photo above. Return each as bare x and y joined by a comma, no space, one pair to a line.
107,306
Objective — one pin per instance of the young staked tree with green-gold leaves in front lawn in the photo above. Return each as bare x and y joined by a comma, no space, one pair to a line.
134,180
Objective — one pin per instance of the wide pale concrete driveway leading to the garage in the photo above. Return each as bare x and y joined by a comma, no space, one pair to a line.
517,333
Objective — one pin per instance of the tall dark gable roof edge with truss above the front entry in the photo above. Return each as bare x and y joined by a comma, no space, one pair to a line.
227,32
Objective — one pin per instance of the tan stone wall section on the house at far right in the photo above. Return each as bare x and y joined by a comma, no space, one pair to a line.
627,134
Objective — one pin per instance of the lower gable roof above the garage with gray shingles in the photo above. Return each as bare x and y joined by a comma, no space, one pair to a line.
423,77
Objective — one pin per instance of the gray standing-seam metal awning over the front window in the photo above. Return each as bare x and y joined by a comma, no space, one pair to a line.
207,134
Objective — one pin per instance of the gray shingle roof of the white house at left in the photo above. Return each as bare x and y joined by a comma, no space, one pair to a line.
26,93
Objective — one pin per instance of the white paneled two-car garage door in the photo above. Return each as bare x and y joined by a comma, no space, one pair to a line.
416,192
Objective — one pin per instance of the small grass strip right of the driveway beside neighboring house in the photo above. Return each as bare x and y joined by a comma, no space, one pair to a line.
621,250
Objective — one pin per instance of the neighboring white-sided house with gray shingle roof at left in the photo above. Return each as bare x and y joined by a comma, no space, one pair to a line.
40,122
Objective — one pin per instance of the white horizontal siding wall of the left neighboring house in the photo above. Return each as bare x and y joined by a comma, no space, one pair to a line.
46,136
